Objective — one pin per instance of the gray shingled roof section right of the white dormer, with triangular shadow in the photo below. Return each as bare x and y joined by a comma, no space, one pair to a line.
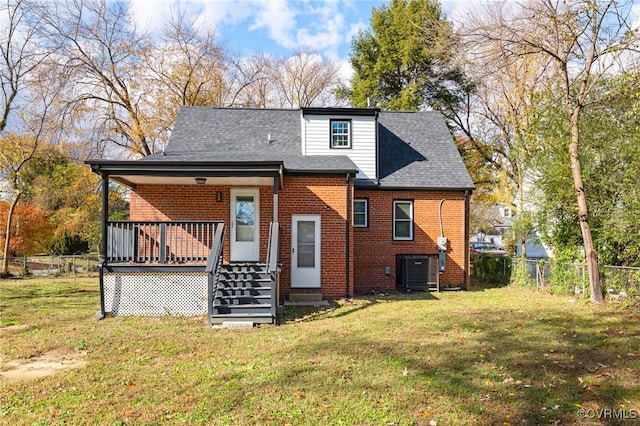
417,151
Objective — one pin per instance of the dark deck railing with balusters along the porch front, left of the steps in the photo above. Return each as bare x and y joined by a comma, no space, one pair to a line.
159,242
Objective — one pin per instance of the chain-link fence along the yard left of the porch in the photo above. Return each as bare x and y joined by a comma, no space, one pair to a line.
54,265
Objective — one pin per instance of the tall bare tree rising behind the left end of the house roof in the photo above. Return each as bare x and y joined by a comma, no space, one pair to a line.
102,61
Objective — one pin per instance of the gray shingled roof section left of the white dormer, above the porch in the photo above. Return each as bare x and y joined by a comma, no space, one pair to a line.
240,134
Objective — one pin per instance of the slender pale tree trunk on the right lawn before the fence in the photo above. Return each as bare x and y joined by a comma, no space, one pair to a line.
583,214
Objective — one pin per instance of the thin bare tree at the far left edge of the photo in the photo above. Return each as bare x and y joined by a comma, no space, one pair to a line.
29,93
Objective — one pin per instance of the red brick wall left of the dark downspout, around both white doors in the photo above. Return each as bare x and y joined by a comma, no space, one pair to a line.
324,196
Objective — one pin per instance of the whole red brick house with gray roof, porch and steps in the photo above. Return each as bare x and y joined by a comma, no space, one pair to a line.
247,208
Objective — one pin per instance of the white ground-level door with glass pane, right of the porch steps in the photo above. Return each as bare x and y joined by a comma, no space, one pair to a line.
305,251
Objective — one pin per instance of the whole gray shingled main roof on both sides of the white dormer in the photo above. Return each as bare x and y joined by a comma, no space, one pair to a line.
416,148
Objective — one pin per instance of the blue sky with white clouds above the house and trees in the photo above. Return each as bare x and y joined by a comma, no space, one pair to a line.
278,27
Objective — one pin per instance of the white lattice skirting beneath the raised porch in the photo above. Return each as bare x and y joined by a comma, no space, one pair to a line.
155,294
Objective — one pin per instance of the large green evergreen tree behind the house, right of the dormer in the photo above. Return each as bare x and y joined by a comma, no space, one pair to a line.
406,60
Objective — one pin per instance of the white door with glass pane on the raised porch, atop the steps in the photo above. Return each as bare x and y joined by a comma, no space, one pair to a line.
245,225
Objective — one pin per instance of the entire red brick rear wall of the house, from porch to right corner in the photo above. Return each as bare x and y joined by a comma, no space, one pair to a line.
371,249
